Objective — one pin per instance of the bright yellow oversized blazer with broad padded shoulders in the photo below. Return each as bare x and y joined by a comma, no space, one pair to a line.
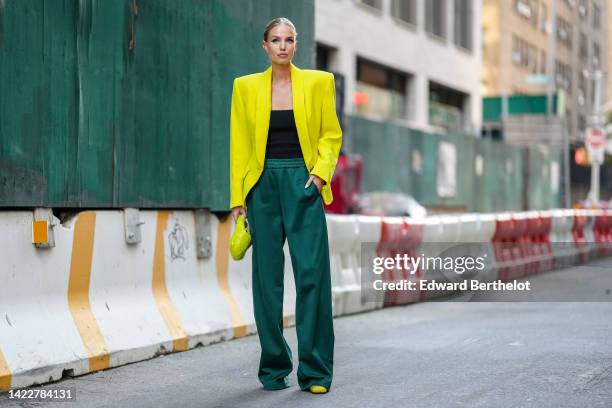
319,133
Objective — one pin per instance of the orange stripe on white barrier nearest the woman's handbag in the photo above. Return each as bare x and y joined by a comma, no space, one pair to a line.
222,262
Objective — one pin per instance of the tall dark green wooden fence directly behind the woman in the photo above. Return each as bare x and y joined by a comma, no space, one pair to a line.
116,103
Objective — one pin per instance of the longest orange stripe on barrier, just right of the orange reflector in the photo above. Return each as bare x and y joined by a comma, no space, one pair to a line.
78,292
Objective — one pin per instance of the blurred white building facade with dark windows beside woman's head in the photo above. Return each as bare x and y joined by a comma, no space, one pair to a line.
415,62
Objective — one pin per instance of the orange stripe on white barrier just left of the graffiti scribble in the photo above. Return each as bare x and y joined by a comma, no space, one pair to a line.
160,290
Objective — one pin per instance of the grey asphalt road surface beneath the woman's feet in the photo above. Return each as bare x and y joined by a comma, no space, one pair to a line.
434,354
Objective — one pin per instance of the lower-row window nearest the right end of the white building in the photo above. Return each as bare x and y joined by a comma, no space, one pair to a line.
446,107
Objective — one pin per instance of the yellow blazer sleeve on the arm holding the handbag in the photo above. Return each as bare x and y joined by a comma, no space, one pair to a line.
240,147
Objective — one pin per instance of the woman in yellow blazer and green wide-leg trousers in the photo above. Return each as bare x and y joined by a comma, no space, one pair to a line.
284,144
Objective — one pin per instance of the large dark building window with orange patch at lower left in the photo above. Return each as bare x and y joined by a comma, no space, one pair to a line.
381,90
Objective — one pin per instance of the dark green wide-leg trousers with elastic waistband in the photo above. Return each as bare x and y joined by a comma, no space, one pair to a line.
279,207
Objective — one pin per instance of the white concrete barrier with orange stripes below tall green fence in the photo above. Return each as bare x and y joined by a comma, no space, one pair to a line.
94,302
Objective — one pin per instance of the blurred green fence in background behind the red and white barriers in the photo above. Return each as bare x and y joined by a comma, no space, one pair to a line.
400,159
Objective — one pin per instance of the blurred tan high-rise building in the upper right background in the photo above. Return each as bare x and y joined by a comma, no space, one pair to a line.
516,43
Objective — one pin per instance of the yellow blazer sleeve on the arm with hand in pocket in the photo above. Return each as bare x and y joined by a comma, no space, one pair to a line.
330,139
